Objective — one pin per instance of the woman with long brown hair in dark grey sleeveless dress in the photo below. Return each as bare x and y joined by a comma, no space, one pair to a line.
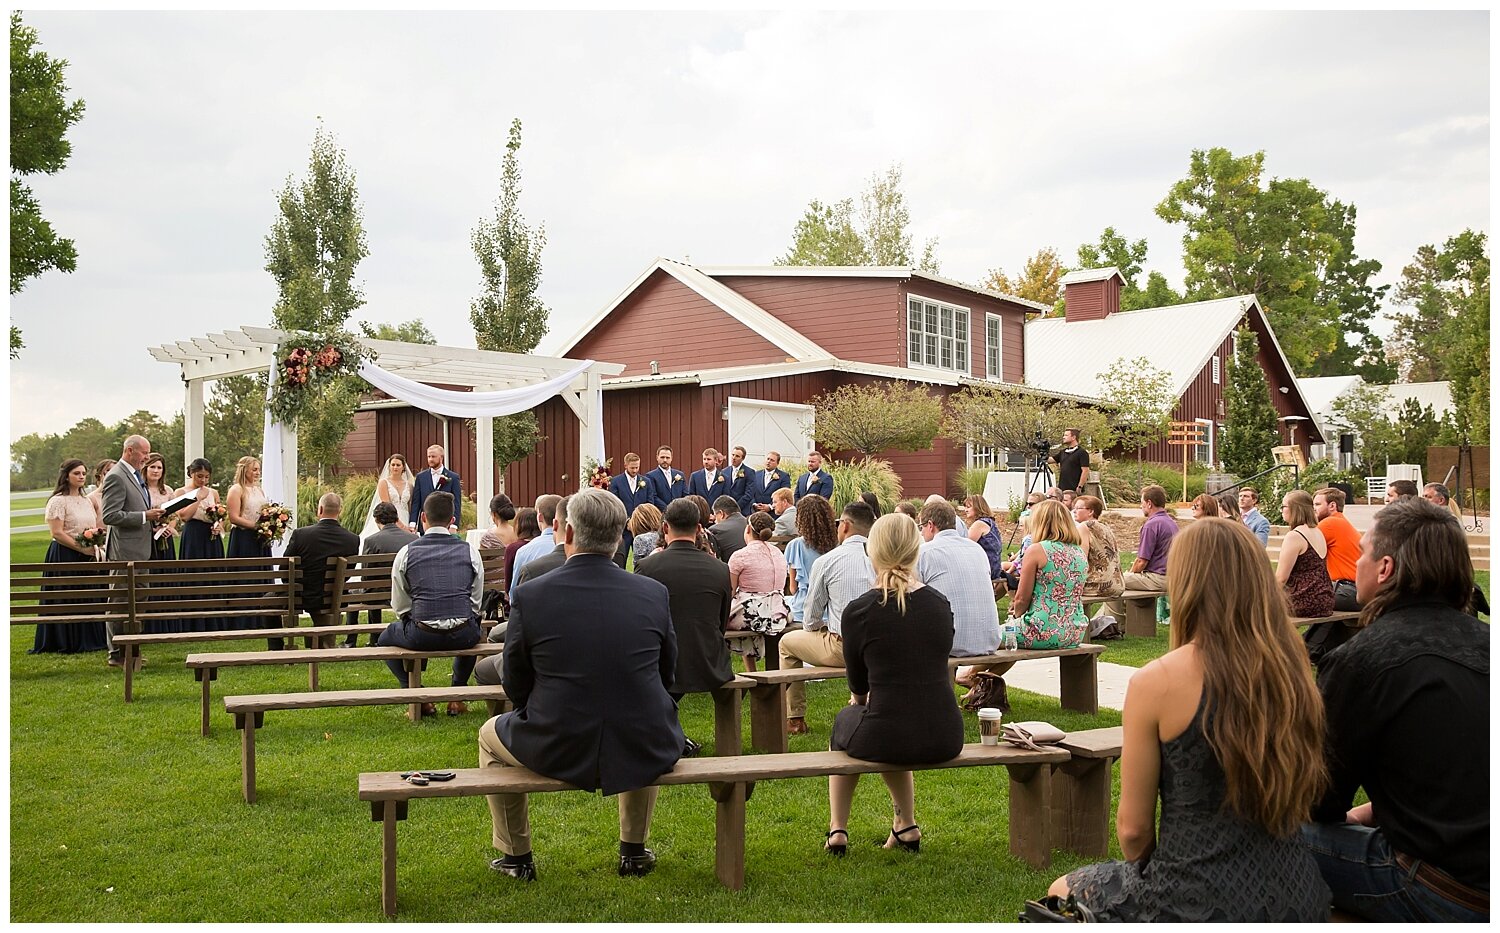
1228,731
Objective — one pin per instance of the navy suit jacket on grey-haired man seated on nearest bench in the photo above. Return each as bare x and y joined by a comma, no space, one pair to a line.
590,653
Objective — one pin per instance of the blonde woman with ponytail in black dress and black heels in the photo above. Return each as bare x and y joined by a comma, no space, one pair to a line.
896,643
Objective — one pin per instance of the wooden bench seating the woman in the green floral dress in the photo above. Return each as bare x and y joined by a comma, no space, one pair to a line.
1079,688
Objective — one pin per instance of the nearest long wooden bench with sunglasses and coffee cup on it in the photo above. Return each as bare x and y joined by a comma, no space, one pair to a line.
731,782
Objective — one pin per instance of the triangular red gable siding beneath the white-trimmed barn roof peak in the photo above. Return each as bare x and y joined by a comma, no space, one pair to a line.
668,322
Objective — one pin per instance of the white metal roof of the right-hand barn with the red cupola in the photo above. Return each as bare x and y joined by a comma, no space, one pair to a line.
1067,356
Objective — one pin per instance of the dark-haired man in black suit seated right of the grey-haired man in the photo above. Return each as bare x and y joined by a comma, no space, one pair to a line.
701,595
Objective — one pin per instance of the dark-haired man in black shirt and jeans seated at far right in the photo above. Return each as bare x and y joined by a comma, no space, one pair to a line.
1409,721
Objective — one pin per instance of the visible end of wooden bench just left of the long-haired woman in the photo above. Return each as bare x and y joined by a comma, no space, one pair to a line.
1081,791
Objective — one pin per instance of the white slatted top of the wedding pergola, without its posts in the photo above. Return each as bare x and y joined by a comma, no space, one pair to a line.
254,350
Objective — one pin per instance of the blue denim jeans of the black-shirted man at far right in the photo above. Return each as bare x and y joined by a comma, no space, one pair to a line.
1361,869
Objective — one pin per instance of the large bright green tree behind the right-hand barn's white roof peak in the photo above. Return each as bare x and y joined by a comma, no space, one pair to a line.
1288,244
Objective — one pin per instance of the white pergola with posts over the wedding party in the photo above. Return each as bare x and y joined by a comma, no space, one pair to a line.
250,350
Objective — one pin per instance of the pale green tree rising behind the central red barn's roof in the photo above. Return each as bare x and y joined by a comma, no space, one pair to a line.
832,235
